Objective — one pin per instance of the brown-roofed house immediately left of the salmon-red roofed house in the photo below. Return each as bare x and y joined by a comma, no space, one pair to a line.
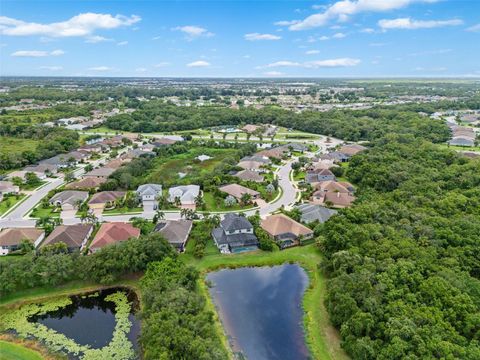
74,236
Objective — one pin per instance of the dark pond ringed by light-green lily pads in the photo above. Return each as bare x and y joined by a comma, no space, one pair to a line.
94,325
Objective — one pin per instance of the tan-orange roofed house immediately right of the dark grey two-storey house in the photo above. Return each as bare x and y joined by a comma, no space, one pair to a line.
285,230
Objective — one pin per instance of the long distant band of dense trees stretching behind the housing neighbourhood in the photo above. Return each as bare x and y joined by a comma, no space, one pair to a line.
345,124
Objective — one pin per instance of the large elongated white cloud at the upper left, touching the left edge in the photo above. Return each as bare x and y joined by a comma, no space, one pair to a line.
83,24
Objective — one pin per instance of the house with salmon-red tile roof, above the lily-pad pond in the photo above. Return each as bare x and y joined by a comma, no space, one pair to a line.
112,233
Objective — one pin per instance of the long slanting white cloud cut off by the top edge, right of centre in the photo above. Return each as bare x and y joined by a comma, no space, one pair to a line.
342,10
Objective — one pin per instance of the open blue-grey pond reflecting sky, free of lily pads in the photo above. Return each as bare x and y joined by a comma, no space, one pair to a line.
261,310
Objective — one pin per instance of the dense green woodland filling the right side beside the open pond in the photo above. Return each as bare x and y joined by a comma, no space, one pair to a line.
404,262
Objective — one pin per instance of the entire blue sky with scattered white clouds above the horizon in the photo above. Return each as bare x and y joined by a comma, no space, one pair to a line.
361,38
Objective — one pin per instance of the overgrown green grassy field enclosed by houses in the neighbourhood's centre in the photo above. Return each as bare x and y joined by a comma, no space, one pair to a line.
166,170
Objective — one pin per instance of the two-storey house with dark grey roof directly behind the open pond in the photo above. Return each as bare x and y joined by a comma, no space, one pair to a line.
235,234
